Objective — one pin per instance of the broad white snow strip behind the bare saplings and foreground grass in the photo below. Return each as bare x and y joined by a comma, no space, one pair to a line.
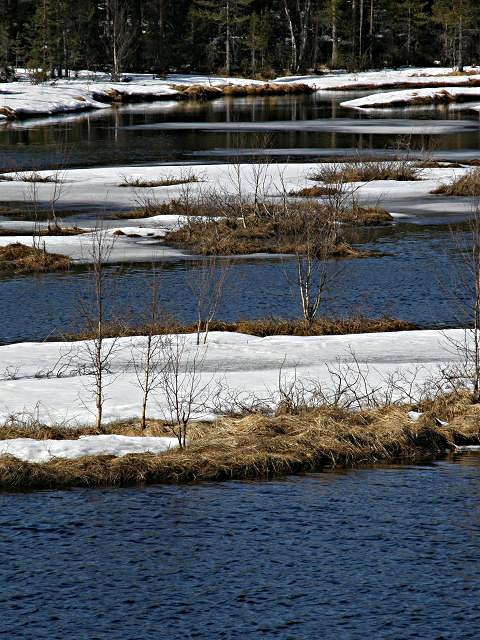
45,379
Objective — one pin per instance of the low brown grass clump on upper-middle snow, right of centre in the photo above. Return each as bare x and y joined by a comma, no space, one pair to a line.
366,172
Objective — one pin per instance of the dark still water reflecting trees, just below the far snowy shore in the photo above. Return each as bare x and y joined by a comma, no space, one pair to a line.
103,137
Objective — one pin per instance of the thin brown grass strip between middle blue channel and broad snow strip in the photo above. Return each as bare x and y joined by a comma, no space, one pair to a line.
261,328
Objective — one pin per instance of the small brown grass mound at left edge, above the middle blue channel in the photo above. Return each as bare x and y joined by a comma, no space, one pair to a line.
17,258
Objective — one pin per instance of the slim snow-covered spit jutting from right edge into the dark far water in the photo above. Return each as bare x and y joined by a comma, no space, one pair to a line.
411,97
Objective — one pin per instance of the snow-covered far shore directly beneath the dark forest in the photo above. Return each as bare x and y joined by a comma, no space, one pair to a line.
87,90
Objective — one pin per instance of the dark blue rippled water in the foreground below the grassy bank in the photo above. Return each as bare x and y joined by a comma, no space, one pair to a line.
387,553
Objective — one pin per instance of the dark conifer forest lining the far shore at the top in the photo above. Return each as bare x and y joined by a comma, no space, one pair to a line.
256,37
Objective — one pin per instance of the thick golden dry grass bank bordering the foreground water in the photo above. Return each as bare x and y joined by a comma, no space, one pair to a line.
259,447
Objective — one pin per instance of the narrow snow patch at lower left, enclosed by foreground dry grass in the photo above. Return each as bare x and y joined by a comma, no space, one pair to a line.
32,450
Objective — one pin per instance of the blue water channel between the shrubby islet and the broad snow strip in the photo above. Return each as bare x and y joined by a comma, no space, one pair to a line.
417,281
